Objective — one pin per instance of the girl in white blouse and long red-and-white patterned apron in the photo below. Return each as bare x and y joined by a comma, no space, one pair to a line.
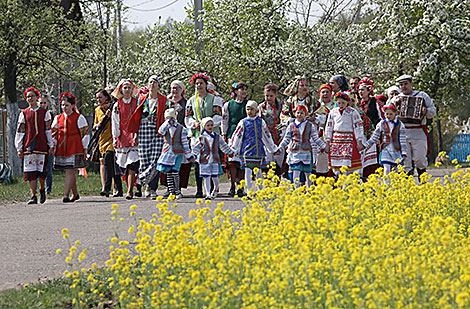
344,133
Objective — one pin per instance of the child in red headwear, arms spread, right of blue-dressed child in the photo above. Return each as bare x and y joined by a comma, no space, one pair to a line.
302,136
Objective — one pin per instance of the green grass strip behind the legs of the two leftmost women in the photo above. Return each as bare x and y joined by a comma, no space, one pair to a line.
18,190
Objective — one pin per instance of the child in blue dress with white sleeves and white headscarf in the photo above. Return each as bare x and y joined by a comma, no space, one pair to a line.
250,140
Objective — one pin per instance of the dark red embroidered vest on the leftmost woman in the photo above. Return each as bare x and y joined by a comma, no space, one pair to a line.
35,139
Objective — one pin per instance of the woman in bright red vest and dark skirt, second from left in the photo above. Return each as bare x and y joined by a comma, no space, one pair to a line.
70,131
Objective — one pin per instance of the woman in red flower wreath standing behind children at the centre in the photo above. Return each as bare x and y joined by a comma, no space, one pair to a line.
202,104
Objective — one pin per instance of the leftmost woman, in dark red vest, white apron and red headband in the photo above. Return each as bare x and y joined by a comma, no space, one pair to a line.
34,142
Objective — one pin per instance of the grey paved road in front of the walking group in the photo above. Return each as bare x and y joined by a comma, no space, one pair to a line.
30,235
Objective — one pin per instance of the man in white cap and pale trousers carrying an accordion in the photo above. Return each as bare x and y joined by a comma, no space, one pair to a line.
417,137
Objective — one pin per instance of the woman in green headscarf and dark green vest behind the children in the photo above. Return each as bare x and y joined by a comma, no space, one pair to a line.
234,111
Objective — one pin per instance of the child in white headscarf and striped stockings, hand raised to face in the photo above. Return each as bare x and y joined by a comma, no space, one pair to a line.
175,148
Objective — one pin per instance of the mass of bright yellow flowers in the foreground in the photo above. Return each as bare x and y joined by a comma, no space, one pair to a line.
385,243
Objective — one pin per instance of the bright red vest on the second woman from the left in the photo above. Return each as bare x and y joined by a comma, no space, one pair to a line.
69,139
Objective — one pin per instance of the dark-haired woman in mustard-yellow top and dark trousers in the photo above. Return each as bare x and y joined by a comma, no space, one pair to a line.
106,147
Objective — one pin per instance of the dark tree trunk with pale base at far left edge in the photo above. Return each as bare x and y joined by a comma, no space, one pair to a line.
9,74
